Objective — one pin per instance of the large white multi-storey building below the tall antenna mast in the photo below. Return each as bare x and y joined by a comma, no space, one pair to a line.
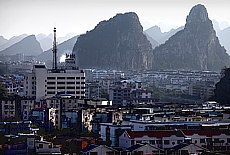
43,83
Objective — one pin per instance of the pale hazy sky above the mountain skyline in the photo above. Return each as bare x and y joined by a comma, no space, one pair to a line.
78,16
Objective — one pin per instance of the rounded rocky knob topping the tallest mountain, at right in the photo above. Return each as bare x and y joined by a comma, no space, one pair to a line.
197,14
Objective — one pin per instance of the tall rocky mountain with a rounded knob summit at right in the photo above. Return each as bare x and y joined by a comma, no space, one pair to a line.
196,47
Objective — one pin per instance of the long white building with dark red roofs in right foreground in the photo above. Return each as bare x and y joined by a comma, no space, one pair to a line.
210,139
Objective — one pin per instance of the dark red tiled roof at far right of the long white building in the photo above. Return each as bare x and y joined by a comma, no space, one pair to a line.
208,133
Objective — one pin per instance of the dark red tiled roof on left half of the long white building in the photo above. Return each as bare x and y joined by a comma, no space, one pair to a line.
157,134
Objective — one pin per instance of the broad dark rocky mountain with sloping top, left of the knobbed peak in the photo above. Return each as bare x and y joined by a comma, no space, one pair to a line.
118,43
